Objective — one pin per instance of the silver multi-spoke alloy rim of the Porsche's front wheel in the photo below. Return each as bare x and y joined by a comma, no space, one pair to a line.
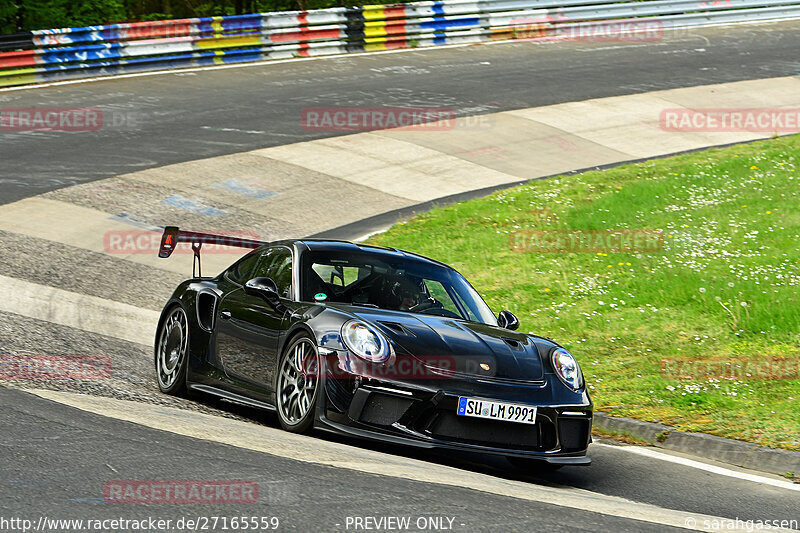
297,382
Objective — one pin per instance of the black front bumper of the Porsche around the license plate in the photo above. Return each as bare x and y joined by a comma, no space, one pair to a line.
423,414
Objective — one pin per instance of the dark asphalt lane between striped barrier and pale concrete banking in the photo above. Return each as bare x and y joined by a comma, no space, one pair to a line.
170,118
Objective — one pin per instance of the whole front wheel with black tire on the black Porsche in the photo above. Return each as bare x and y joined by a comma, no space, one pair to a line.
297,385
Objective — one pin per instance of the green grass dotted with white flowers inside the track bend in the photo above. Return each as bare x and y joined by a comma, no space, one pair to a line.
723,288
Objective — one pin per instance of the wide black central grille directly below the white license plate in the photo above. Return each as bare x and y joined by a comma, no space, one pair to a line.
535,437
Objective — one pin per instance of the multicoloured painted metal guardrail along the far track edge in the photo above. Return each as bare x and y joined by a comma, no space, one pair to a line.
69,53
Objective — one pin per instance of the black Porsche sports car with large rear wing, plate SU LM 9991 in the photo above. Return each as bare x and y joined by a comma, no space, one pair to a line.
371,342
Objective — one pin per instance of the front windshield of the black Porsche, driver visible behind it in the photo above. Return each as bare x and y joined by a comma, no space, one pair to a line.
391,282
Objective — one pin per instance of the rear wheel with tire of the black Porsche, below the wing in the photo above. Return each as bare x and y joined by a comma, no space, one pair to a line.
172,352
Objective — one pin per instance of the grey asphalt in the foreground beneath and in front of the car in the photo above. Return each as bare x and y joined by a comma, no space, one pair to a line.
63,474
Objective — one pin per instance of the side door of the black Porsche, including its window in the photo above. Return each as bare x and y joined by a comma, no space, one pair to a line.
249,329
